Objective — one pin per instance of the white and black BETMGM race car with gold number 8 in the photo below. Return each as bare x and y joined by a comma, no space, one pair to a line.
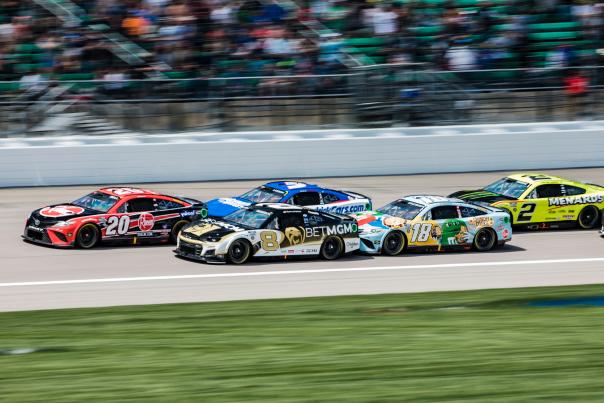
268,229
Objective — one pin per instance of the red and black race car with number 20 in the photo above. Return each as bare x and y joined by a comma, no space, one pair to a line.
120,214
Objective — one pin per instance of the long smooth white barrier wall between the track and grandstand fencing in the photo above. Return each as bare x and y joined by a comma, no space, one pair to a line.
200,157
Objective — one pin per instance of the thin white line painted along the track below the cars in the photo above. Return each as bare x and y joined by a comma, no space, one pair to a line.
308,271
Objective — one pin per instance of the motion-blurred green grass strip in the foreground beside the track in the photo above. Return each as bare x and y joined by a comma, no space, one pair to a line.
465,346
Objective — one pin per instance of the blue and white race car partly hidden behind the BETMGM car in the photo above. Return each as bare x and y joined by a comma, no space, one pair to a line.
295,193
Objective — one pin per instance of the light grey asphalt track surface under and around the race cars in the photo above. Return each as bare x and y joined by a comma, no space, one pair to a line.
34,277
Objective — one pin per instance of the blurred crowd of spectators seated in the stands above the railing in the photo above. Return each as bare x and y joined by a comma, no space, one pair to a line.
224,38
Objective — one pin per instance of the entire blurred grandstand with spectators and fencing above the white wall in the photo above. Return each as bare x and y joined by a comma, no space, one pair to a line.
68,52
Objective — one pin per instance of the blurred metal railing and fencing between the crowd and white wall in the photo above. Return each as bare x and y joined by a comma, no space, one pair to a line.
375,96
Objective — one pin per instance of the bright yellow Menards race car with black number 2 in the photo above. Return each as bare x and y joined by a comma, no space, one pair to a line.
538,201
